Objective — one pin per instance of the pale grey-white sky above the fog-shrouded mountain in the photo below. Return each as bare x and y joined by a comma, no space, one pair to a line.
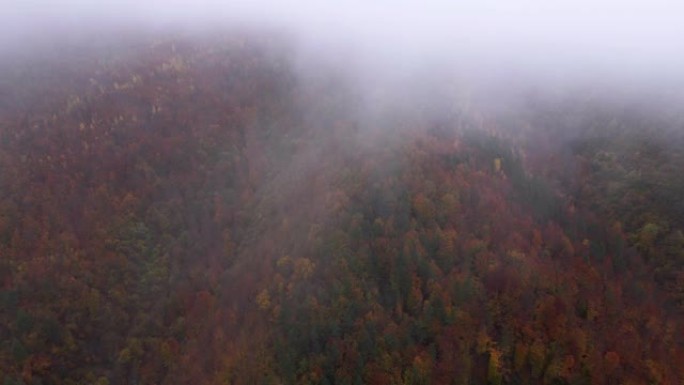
627,39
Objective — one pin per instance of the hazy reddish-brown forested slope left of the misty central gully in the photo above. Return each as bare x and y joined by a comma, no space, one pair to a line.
126,186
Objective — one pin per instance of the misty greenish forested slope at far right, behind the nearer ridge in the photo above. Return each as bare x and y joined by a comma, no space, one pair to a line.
622,162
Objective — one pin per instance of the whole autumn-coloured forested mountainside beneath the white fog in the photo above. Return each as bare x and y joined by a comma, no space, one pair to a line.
184,211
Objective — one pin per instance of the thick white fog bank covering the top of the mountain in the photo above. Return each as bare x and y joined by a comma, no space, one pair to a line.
621,46
